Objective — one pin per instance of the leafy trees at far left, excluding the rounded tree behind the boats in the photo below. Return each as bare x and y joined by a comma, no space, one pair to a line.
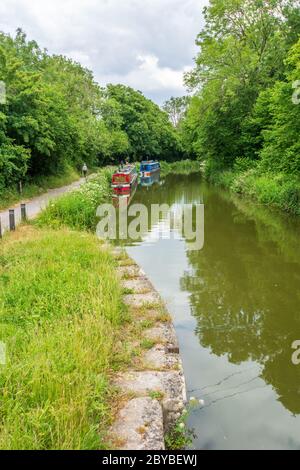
49,116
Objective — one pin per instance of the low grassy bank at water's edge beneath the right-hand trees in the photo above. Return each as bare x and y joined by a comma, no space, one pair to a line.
273,189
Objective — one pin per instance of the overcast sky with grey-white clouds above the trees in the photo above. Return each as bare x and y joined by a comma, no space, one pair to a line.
147,44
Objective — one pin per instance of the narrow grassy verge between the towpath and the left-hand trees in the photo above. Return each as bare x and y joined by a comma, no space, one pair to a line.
36,187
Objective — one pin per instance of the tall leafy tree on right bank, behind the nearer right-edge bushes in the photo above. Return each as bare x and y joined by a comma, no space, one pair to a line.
242,52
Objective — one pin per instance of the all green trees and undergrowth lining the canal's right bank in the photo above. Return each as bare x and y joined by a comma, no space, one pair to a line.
242,119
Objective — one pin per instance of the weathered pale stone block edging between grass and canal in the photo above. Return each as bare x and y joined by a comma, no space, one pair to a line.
153,387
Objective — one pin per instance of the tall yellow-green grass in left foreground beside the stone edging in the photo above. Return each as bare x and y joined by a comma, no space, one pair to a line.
60,316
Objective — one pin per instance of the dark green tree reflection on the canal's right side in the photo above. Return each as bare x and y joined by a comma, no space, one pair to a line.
245,293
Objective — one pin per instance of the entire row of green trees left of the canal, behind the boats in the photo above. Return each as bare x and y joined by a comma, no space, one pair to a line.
54,114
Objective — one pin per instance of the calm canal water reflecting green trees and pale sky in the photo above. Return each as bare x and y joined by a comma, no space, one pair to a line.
236,309
